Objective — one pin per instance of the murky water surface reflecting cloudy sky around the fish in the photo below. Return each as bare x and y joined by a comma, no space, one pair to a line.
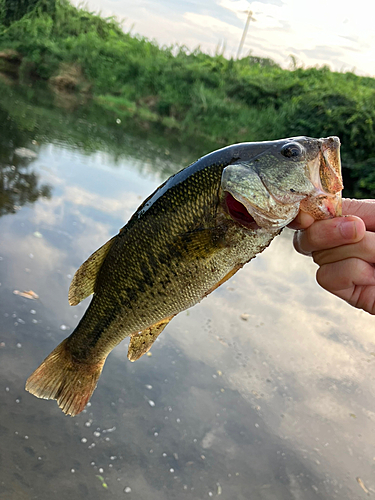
263,391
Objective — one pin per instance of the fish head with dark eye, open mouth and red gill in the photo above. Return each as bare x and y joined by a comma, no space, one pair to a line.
270,182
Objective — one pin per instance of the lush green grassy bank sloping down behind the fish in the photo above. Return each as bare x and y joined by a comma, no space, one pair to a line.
190,94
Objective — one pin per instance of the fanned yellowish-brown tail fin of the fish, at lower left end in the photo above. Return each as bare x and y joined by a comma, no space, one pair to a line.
62,378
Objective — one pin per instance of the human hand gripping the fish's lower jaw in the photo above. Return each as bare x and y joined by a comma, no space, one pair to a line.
344,249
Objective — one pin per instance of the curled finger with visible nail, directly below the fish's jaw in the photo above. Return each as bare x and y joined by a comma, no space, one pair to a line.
329,233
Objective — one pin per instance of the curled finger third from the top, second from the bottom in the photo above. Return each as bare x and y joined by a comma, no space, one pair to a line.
341,277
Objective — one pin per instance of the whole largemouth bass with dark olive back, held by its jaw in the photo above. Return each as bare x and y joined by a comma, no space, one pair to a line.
190,236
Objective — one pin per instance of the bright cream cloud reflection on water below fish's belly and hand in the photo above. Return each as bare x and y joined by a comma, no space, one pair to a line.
301,353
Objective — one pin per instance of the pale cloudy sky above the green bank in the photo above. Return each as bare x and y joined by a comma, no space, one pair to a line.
336,33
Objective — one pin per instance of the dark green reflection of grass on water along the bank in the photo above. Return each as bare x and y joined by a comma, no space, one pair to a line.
31,114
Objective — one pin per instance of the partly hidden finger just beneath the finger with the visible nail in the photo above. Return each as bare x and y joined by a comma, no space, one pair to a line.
364,249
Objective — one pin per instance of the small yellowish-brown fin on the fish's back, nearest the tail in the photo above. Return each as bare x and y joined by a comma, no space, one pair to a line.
83,281
